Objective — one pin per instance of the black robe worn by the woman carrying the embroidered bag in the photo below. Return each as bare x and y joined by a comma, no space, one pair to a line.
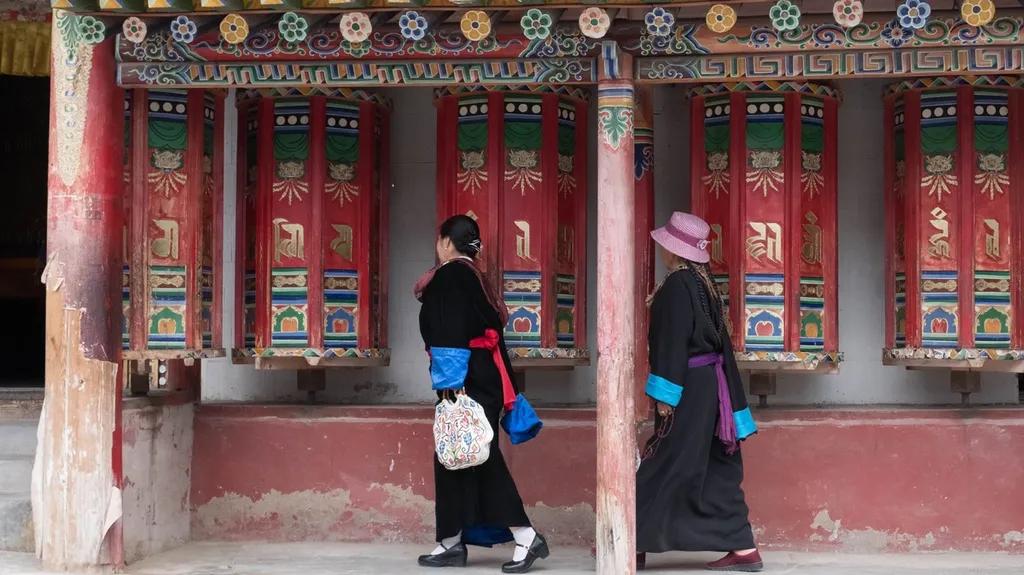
482,502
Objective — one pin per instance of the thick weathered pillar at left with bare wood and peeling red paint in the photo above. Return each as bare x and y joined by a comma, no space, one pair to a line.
76,500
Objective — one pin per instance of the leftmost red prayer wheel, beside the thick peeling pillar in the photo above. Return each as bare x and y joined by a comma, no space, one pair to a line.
174,189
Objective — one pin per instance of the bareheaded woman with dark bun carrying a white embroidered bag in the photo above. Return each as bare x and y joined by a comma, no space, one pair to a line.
461,322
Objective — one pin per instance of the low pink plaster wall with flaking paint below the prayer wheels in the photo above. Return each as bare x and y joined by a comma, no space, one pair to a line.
855,480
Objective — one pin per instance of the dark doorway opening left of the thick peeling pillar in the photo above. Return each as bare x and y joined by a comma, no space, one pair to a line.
25,117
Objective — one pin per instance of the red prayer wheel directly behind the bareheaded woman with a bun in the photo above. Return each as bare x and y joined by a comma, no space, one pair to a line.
517,162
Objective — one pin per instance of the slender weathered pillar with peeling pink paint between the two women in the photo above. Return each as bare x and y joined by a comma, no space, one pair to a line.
616,293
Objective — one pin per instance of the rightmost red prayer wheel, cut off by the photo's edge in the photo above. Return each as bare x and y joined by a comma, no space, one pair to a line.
954,219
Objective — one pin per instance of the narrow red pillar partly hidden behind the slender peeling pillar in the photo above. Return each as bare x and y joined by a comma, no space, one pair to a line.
644,174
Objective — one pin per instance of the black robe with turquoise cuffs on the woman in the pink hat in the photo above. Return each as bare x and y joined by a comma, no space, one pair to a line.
689,489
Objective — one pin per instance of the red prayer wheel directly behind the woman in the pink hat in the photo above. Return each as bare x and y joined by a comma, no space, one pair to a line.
764,178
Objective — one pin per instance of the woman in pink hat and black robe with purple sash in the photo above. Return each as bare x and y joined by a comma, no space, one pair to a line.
689,485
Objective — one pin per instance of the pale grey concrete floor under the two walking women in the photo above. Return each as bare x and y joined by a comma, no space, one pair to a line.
345,559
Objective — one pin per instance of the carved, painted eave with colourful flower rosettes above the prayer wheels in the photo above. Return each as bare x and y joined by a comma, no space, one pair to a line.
249,45
